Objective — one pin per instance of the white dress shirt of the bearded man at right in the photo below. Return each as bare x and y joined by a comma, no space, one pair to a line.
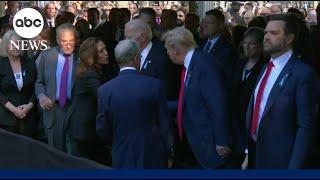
279,63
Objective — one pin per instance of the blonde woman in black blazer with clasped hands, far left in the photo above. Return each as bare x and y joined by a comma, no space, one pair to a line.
17,78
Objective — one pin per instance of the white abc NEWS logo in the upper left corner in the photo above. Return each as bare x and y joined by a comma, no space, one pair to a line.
28,23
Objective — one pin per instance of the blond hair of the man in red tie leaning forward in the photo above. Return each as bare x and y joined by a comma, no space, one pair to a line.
179,37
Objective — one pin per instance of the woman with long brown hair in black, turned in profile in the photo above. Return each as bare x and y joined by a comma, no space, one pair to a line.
80,119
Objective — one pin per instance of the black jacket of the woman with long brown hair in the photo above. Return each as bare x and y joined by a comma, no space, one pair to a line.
81,116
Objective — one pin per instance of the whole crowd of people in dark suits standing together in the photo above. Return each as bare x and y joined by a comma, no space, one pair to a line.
132,92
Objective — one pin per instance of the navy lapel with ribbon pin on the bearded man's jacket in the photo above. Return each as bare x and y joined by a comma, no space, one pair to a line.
279,85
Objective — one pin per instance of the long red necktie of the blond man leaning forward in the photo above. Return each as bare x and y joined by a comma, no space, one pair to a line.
180,105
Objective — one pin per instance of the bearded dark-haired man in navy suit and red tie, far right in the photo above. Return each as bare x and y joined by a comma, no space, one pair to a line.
282,114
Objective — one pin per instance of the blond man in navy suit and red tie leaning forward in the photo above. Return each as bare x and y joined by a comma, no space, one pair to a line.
203,125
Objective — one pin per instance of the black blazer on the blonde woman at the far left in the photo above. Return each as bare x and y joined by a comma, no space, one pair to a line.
10,92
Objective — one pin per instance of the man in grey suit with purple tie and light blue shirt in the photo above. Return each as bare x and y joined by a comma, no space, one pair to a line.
55,76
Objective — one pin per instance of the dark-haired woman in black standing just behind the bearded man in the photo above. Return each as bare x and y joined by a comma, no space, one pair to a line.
245,78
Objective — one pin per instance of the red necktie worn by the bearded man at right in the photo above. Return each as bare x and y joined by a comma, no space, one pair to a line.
258,100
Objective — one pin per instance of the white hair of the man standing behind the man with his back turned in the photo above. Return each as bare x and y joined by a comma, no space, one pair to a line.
138,25
